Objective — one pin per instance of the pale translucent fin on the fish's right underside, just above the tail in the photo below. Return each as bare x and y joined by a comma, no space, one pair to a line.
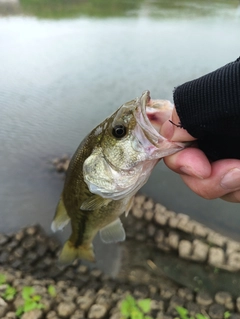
113,232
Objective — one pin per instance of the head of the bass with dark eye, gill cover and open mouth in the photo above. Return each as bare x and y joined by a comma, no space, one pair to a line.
129,147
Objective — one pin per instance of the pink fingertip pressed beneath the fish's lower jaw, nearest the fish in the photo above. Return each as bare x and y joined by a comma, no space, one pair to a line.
190,161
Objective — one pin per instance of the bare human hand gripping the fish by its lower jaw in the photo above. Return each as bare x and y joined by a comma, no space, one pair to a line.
220,179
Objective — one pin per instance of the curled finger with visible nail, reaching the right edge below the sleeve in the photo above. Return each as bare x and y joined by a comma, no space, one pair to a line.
224,179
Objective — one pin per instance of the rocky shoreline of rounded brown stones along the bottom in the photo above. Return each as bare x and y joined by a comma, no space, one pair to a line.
159,254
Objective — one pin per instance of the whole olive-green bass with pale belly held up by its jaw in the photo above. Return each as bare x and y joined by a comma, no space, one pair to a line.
108,168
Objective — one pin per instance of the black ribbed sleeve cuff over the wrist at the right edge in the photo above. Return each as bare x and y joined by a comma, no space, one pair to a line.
209,109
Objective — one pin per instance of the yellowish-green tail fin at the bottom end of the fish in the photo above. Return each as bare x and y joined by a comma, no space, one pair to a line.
69,253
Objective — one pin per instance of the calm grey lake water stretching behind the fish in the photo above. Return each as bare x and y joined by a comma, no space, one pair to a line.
60,77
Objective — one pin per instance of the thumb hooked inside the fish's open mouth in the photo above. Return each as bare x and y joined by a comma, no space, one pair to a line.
172,130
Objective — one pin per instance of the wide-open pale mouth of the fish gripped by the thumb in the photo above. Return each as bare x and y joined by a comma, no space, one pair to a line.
150,115
